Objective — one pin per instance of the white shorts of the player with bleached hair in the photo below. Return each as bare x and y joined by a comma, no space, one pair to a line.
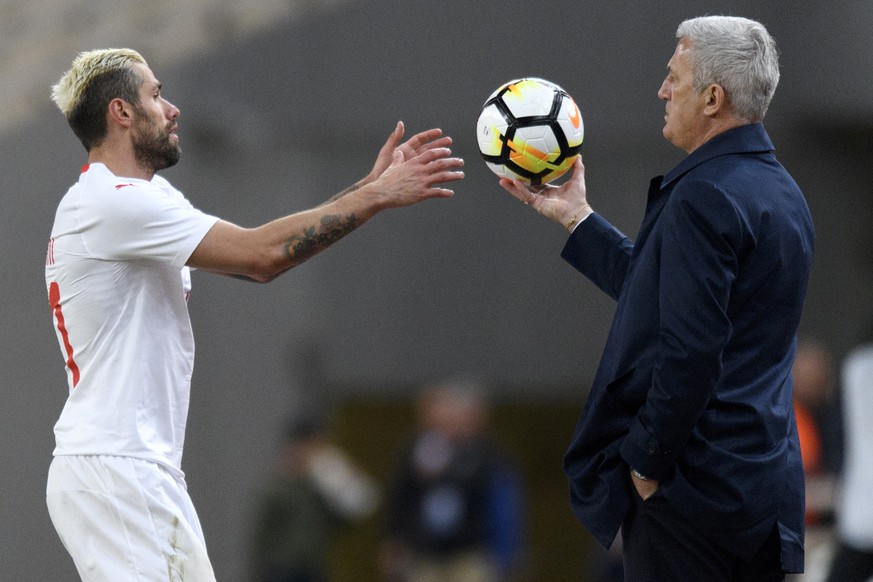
125,519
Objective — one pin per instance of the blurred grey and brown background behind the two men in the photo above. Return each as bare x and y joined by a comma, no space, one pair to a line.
286,102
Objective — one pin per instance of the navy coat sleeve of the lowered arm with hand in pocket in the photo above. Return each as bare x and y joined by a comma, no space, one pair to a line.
698,266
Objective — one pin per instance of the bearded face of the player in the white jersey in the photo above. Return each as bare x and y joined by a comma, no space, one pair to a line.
155,143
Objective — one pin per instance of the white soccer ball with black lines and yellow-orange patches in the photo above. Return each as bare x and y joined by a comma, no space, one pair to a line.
530,130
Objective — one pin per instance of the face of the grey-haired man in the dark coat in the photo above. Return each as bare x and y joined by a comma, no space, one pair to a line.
684,121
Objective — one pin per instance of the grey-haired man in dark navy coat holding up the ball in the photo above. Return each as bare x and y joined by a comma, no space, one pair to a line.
688,441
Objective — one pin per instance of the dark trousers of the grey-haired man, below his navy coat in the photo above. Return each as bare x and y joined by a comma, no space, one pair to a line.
661,546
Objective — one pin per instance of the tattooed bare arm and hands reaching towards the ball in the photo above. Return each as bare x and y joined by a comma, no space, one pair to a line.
263,253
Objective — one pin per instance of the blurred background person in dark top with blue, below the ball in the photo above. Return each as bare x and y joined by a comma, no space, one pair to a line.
455,508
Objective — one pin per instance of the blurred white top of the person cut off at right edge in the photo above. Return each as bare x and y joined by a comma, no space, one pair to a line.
855,507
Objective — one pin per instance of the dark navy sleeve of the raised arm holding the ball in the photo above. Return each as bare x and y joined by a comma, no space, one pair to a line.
600,252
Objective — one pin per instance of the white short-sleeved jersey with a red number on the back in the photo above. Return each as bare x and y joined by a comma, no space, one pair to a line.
118,289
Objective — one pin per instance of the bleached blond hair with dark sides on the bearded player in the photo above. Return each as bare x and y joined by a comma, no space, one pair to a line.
95,78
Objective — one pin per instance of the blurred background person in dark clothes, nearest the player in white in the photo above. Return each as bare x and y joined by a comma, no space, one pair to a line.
315,491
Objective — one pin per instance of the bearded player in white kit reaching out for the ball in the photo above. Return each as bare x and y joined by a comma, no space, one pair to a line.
117,274
